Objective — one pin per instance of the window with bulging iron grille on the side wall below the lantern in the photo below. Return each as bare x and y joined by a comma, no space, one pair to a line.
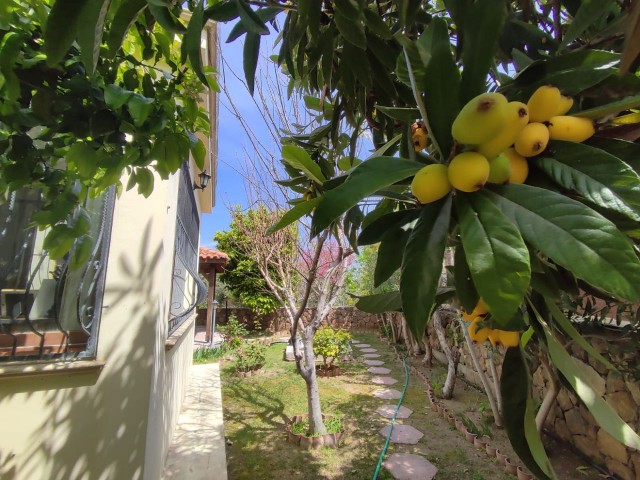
187,289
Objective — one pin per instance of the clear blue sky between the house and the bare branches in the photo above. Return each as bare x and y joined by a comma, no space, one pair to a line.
231,137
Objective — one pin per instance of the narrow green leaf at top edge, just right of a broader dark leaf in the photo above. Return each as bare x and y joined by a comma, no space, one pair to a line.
90,31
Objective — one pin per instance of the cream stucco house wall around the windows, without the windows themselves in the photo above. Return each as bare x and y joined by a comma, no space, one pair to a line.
115,423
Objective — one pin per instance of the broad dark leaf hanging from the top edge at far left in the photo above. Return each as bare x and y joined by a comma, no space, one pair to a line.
61,29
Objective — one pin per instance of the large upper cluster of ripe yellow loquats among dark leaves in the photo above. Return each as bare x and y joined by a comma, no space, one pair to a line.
501,135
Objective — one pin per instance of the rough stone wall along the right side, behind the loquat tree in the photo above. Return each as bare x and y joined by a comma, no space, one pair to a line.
569,419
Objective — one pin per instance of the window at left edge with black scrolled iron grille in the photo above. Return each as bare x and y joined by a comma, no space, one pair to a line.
47,309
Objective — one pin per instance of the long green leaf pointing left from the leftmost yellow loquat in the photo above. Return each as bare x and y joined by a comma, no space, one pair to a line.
366,179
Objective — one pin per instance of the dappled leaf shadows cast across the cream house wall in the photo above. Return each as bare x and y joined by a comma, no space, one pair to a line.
97,423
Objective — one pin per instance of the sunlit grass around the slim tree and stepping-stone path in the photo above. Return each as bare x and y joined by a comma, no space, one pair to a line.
257,408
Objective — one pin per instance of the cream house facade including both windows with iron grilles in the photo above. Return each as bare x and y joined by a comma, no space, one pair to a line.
94,360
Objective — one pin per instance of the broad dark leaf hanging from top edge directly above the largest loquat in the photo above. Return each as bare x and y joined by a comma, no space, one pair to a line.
481,30
